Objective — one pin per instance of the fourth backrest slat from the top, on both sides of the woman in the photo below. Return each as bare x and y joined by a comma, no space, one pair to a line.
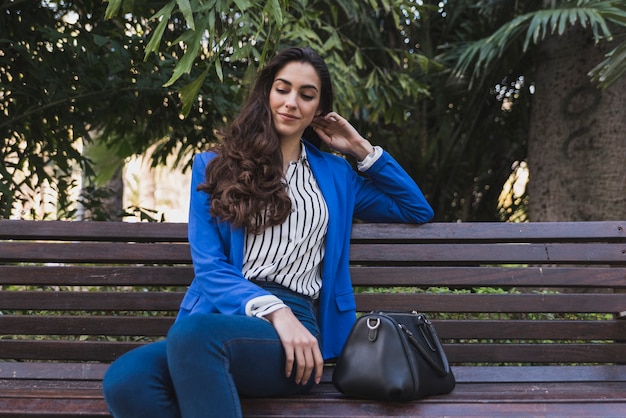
167,301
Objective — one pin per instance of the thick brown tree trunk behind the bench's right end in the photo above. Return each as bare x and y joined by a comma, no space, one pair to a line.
577,144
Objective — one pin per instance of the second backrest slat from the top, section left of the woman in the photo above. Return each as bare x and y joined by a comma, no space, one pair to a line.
94,252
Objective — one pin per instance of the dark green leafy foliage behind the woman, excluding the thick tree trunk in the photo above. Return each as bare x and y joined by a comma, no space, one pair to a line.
445,86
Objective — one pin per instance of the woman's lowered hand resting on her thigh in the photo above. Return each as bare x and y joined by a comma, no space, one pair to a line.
302,350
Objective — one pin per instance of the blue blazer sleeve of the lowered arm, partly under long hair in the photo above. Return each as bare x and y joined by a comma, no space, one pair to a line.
218,285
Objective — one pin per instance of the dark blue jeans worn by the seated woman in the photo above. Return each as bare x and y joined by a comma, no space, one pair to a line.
205,364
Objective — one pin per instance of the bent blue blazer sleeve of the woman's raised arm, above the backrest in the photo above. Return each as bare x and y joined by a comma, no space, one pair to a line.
389,194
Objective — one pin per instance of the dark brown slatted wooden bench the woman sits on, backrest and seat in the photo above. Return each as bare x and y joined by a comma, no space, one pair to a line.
530,314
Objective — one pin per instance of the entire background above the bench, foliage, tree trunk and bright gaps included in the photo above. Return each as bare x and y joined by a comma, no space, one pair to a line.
501,110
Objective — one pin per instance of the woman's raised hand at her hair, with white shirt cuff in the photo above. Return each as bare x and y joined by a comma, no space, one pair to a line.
341,136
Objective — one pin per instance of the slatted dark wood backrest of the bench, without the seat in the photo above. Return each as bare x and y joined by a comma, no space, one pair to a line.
533,293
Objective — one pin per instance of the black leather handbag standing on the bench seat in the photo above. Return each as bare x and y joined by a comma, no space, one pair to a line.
394,357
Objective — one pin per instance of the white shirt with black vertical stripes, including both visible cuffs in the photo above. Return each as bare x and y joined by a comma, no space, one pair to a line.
291,254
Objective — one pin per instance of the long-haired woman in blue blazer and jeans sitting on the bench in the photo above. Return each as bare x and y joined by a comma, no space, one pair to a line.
269,228
